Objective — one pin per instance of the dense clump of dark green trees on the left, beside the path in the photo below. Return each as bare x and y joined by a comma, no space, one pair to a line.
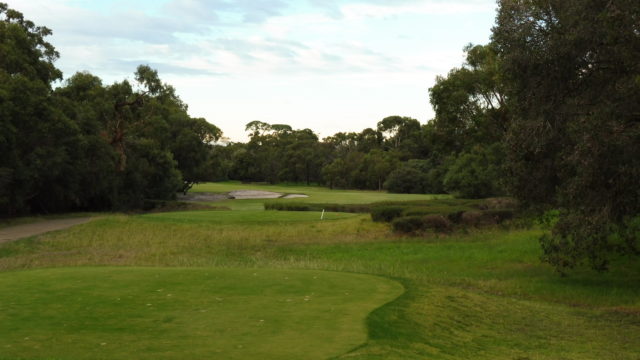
86,146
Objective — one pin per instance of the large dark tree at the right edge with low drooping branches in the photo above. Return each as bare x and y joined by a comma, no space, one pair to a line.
573,77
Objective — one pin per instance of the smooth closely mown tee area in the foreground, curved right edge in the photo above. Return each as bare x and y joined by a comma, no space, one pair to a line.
173,313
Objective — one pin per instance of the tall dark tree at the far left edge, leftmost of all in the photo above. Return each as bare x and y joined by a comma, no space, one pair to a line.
36,140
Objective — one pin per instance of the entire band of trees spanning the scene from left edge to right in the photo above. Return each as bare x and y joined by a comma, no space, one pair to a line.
548,112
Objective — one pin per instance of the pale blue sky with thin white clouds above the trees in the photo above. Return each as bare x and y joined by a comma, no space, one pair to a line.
326,65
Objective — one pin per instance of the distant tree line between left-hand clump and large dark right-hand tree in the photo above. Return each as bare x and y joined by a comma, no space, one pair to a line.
459,152
